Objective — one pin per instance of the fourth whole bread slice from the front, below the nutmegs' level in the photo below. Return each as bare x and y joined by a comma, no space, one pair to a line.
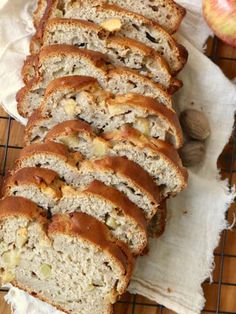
157,157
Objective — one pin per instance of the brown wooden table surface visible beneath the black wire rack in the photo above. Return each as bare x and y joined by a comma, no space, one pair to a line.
220,298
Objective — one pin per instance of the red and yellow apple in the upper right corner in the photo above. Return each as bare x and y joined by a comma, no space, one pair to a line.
221,18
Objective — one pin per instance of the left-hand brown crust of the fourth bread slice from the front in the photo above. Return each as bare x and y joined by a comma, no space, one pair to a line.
68,128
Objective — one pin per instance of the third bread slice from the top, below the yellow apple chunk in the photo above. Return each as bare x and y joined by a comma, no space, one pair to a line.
121,51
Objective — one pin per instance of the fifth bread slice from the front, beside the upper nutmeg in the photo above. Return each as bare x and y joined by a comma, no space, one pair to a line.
65,100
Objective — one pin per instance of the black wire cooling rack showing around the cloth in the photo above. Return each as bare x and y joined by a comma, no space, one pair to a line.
221,293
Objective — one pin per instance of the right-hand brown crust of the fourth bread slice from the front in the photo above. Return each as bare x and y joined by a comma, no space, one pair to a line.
159,147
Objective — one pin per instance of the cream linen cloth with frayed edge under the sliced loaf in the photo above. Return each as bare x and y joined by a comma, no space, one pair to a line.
180,260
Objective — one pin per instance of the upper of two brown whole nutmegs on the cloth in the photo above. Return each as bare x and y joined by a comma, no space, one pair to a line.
195,124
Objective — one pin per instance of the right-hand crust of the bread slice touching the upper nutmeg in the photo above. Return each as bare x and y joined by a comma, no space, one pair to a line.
154,108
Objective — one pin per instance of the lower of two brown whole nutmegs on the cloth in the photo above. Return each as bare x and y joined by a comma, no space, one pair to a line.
192,153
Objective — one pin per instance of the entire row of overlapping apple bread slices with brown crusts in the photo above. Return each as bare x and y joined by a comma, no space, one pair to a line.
101,149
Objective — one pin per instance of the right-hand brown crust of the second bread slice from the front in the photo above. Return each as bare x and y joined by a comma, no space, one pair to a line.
118,199
